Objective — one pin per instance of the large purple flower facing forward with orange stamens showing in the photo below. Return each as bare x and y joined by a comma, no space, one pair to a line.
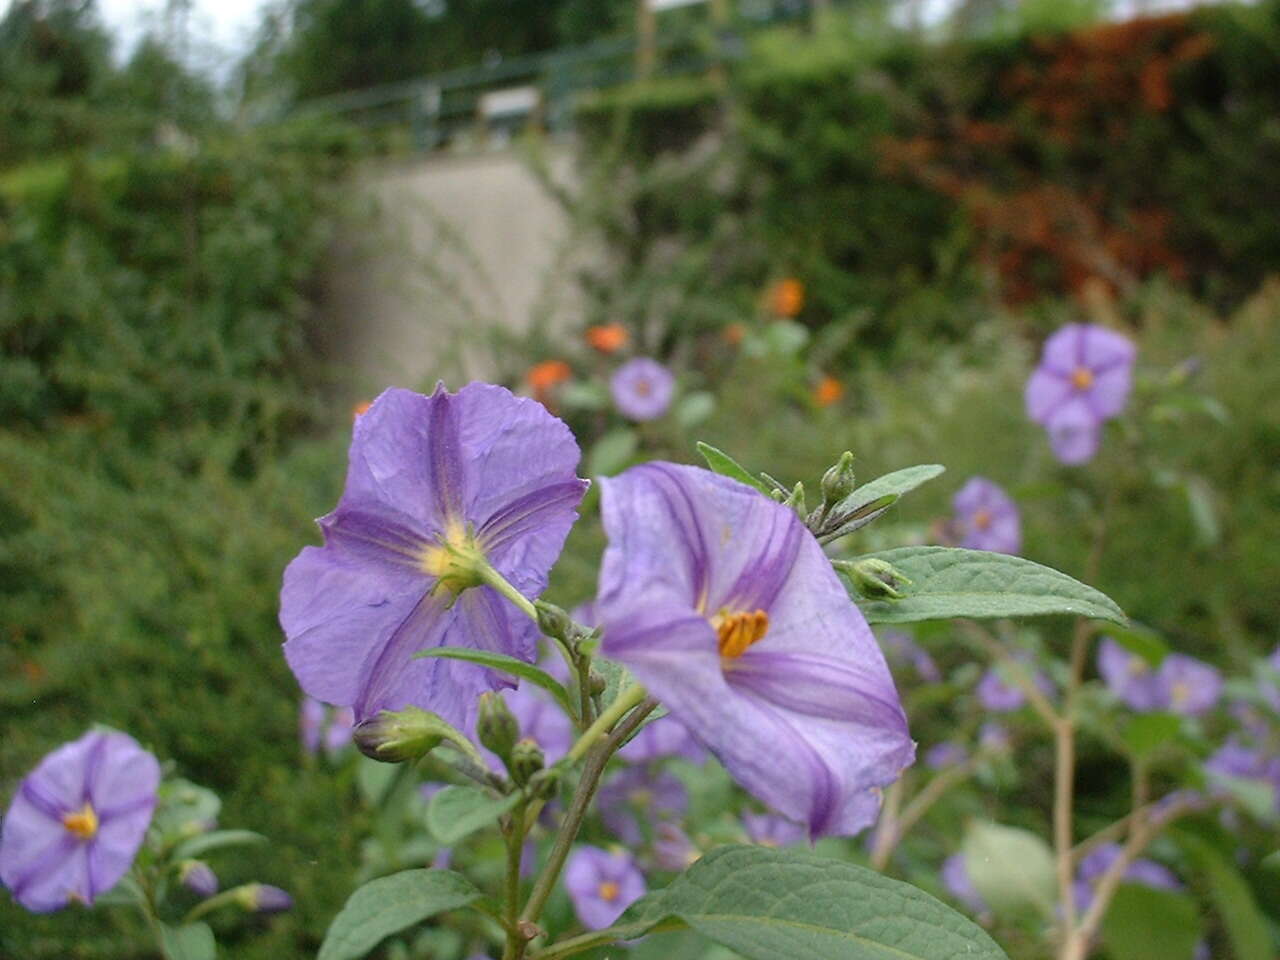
725,607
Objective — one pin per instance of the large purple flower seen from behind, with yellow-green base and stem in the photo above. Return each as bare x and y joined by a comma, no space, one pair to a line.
436,486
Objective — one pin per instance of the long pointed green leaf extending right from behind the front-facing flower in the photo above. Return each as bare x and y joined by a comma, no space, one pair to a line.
954,583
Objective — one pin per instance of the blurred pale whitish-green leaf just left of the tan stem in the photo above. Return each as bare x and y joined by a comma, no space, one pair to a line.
1012,868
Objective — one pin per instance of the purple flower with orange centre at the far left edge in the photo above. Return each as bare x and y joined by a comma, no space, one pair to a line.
77,821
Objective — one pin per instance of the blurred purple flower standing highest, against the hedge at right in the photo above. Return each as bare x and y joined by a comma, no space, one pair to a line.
1084,380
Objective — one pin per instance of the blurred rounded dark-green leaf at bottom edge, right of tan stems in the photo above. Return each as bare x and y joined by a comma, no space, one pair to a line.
1144,924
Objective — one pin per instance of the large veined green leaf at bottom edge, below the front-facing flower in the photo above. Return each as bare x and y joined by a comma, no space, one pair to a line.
793,906
